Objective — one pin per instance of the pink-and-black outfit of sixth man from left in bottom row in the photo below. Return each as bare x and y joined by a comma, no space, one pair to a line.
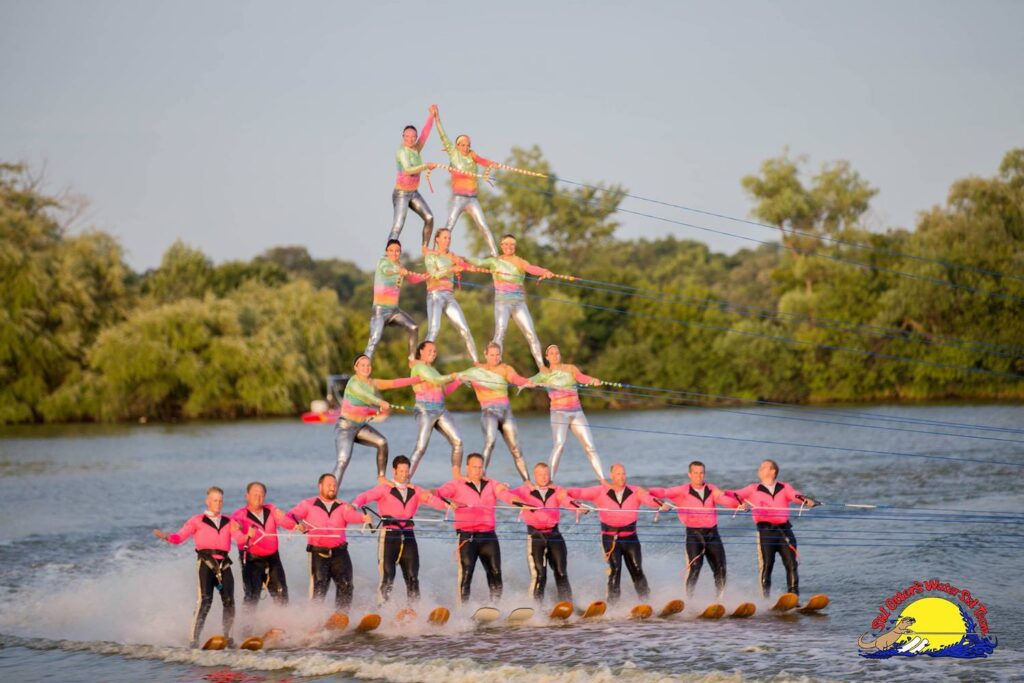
545,545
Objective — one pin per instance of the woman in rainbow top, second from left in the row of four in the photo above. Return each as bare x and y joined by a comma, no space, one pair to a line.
430,411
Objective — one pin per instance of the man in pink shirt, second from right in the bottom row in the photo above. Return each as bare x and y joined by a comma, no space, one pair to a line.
696,503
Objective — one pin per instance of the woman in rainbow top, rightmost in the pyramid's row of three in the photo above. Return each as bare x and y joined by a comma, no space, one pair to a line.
509,273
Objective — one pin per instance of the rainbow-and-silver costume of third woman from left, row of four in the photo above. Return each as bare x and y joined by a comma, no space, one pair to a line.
492,388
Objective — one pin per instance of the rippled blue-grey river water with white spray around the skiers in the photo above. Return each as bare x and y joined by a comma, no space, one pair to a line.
90,595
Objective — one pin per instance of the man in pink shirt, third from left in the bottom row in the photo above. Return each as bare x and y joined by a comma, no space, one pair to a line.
324,520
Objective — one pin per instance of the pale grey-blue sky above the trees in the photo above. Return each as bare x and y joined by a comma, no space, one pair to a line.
241,126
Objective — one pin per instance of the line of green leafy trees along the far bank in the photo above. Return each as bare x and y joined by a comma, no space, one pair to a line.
813,318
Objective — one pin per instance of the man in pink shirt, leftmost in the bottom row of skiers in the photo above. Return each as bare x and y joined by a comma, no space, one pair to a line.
212,533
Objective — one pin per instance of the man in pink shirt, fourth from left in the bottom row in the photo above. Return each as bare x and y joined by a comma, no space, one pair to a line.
397,506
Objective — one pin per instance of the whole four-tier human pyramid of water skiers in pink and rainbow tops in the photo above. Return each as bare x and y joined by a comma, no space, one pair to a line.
475,499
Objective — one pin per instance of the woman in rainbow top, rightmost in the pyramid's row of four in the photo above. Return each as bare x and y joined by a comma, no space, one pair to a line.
561,380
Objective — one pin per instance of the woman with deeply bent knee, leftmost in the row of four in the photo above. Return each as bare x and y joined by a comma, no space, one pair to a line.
363,403
